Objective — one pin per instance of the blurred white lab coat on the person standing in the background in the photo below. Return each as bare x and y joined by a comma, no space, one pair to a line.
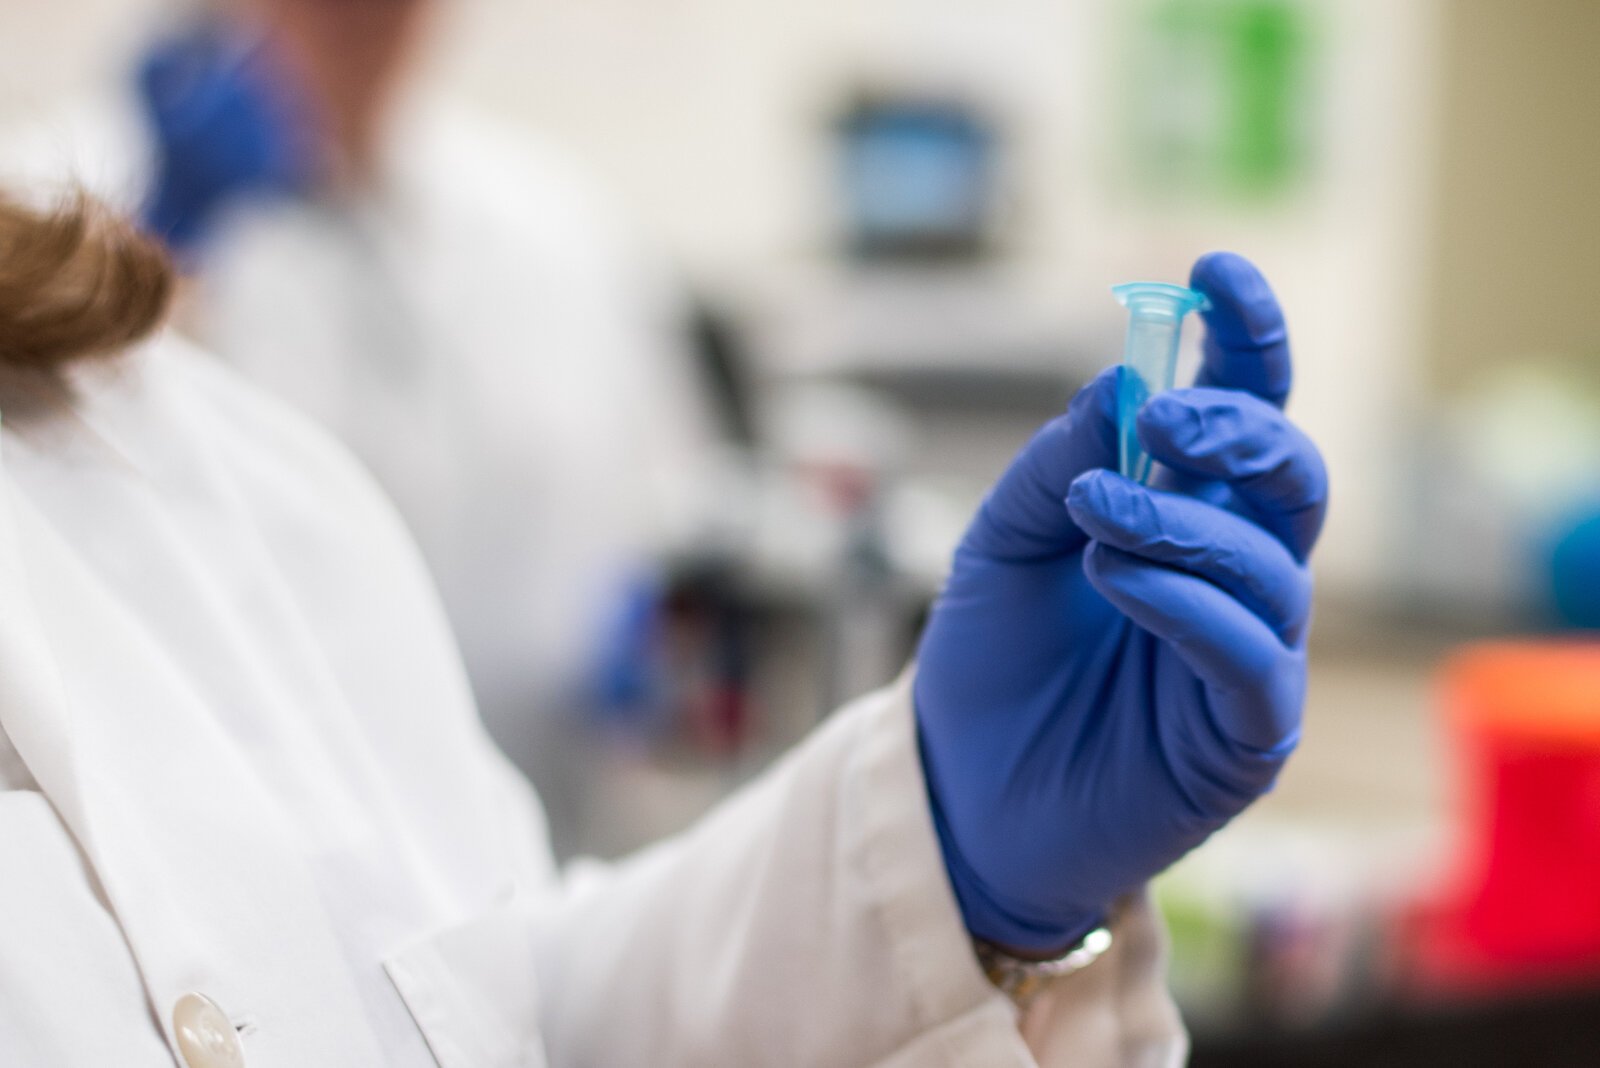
481,330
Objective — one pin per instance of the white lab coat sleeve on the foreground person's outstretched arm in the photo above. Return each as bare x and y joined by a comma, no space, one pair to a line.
809,922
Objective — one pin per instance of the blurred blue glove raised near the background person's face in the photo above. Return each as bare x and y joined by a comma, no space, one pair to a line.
225,124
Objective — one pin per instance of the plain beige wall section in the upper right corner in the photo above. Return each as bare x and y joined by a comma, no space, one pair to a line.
1516,268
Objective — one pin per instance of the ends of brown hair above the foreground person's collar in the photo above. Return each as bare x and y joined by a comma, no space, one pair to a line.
76,282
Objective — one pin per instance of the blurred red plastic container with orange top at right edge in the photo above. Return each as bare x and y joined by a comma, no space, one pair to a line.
1524,911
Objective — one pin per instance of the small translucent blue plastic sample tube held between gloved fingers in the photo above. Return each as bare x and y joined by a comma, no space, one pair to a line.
1156,322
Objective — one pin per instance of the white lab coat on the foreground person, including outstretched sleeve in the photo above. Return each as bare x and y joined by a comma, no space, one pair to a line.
238,757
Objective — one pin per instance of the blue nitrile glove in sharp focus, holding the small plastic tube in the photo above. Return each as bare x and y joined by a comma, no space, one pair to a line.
1114,672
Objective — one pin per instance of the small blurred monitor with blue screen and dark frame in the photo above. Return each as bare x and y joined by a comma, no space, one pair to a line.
919,178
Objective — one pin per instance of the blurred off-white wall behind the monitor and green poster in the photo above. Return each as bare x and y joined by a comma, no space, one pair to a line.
705,116
